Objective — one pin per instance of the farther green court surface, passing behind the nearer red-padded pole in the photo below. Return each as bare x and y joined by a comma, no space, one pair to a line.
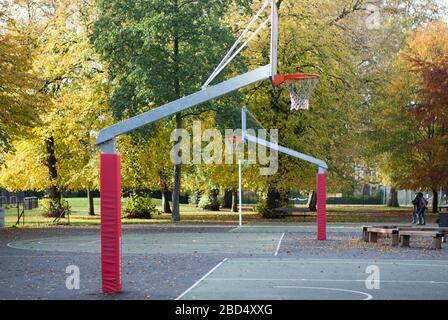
167,243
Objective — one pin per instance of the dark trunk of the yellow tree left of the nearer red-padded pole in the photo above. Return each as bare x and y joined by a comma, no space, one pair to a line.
54,191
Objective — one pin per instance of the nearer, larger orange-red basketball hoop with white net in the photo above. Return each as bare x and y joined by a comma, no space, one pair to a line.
300,87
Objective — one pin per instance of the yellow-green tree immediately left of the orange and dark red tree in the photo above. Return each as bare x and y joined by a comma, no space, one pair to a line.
383,126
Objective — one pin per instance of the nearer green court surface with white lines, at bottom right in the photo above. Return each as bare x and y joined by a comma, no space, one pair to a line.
259,279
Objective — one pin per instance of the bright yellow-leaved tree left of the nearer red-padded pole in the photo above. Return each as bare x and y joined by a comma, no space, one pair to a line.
73,85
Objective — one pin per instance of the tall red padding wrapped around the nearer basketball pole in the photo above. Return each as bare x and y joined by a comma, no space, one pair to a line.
110,192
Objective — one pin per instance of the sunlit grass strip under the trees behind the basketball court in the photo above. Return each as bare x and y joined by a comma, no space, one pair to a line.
189,213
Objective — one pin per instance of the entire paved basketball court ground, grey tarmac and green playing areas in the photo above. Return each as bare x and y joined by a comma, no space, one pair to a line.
189,262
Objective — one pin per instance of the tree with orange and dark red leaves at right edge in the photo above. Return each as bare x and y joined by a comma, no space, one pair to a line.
427,59
